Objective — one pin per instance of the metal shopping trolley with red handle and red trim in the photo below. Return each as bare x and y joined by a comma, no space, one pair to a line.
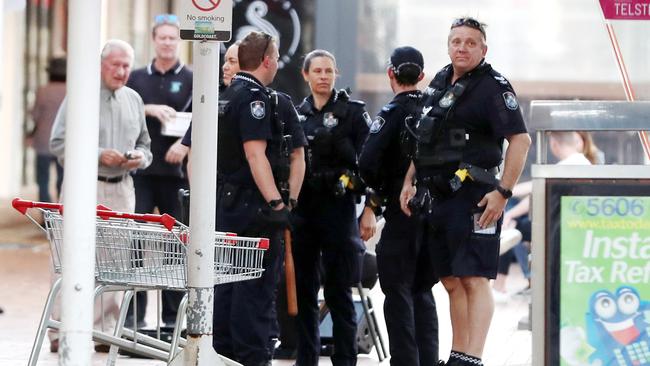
142,251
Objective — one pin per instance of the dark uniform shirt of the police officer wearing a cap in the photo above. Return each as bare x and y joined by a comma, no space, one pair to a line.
382,163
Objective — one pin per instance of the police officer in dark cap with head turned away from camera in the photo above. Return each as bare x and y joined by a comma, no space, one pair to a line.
405,272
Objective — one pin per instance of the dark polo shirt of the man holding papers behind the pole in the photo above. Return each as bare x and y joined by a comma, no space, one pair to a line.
172,88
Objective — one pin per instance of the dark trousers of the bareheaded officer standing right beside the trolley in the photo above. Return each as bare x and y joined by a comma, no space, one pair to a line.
243,311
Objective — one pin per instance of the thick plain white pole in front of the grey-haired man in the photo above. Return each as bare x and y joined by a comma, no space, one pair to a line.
80,189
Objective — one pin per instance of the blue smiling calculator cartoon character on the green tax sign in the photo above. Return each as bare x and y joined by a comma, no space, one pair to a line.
618,328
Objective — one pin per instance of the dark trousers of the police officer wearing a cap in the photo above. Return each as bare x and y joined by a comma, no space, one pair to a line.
406,277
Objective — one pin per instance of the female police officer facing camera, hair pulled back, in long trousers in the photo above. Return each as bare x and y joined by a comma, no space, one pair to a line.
326,228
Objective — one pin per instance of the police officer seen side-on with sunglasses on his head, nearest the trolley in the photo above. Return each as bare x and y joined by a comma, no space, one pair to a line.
255,164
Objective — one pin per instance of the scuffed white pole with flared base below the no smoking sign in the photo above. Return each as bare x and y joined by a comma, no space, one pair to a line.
200,256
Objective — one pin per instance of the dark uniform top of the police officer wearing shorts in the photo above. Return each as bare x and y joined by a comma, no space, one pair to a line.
488,108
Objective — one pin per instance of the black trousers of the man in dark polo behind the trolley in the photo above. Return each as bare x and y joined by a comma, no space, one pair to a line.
153,191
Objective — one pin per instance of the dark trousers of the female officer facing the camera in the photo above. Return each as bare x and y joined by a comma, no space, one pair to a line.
329,235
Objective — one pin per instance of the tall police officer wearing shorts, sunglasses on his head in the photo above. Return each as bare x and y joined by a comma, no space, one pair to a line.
469,110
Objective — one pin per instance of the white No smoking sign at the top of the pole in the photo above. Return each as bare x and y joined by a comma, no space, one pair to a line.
206,20
